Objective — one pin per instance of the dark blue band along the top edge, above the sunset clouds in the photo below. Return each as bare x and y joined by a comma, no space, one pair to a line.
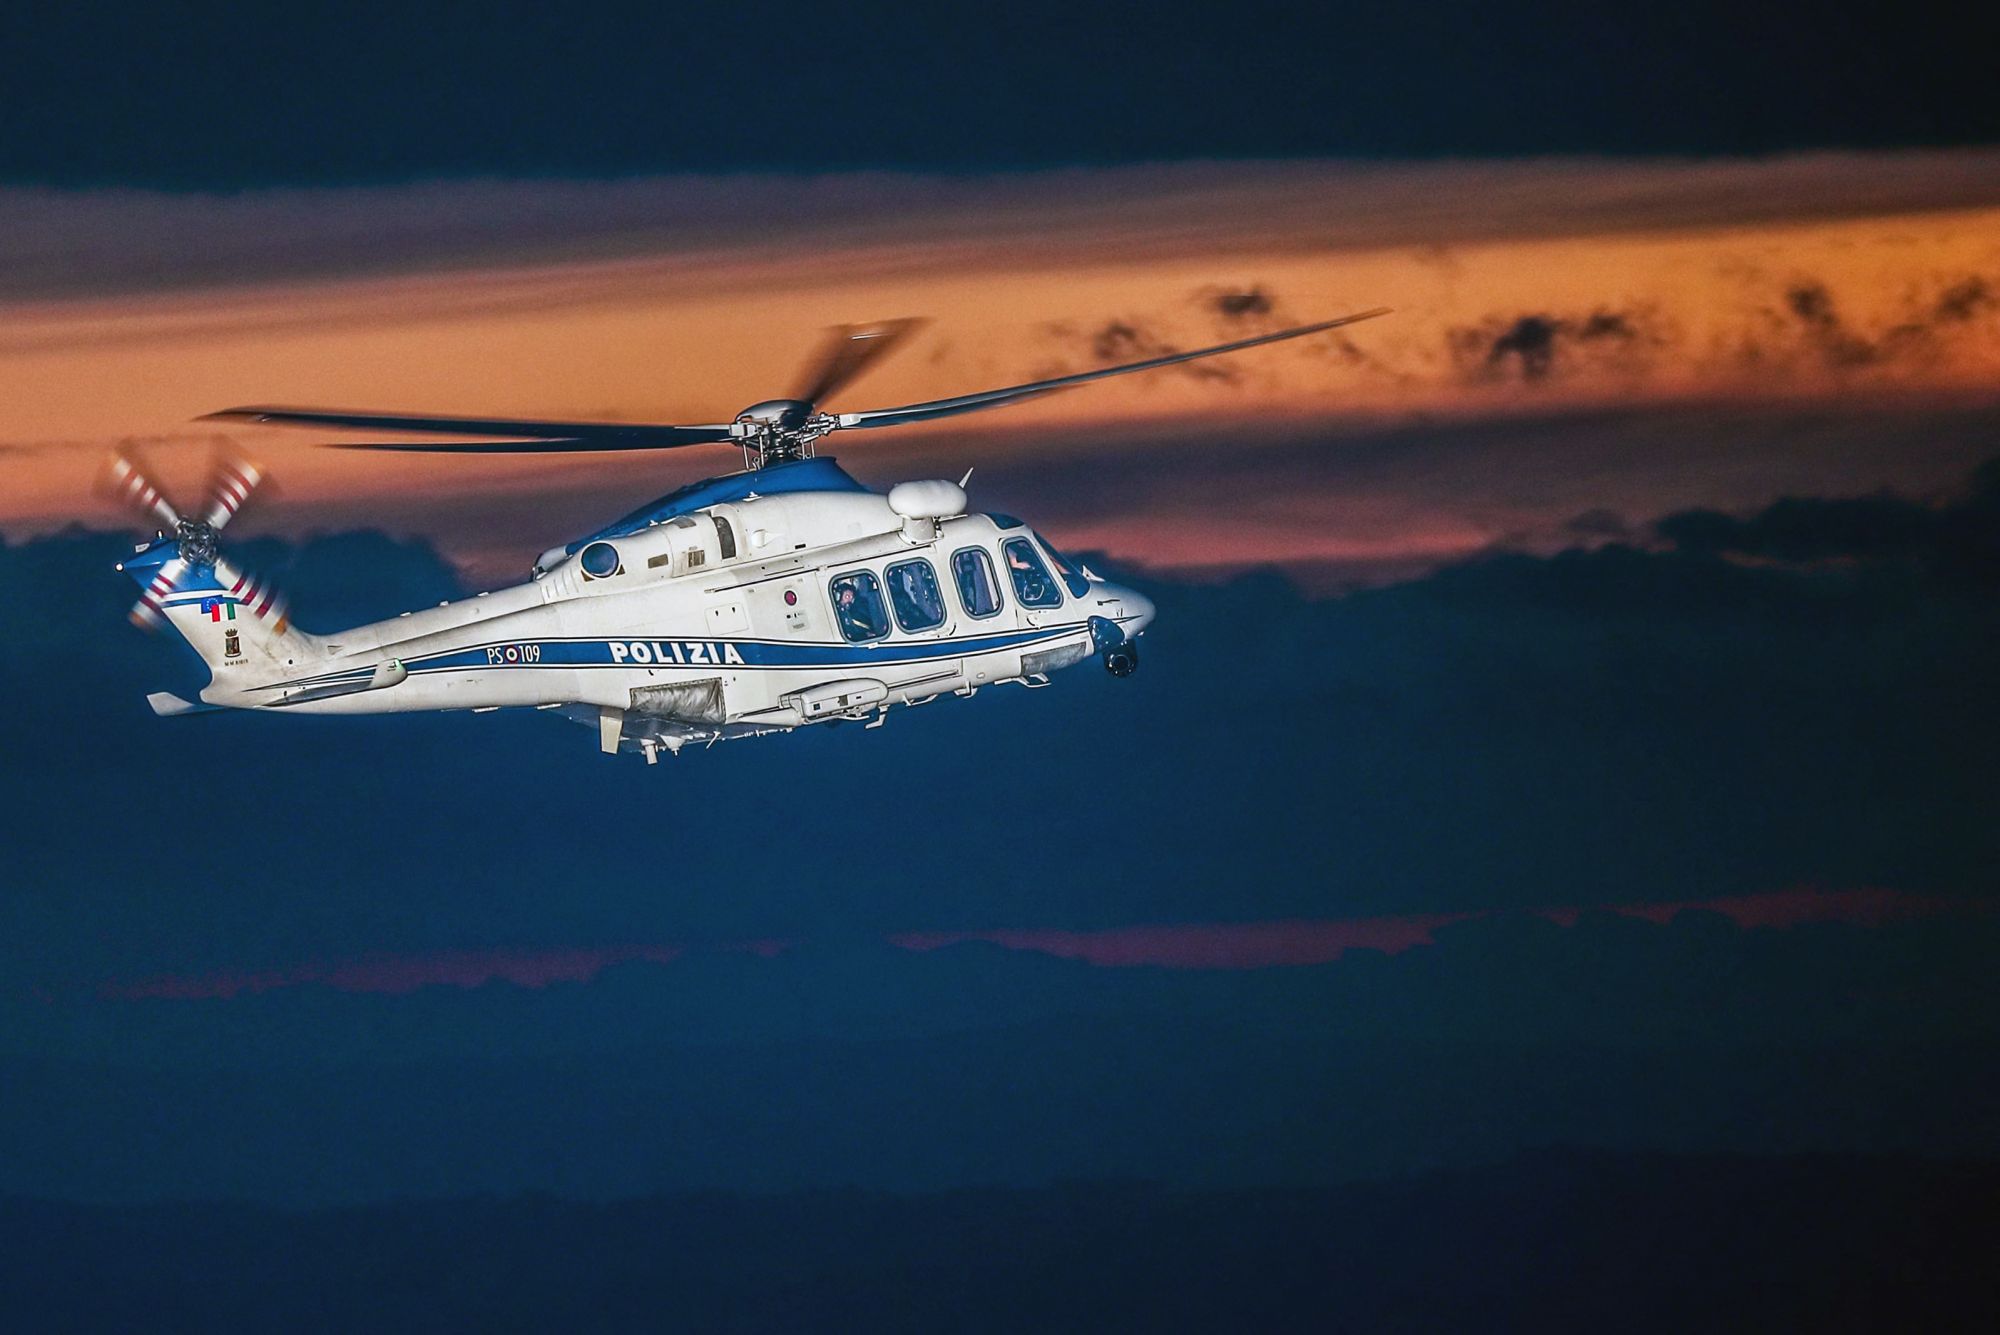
211,97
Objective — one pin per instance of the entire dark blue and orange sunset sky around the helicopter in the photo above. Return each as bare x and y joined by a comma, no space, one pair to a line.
1569,724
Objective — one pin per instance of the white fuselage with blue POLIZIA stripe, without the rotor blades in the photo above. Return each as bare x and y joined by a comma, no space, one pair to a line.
763,613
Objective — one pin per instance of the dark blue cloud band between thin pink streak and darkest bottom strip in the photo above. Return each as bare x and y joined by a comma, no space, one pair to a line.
967,1066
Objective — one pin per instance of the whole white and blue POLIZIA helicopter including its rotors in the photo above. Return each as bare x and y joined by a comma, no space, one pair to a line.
747,605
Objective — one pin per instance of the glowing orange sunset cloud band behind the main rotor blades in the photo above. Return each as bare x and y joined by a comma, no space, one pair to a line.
1521,291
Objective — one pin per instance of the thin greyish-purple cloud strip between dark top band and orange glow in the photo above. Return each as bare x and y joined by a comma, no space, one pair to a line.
99,243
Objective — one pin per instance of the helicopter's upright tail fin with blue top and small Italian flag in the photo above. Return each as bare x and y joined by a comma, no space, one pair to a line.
235,623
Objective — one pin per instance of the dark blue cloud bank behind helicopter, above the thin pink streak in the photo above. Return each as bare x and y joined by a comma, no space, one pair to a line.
1609,724
